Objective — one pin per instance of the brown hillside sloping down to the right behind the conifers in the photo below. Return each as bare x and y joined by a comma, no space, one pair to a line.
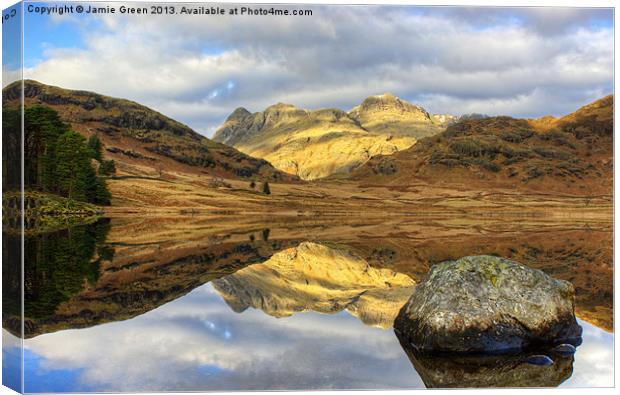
142,141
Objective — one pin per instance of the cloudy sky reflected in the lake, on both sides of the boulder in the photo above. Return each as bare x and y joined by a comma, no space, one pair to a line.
198,343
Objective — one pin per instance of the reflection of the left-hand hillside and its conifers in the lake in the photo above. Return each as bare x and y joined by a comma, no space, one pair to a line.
73,280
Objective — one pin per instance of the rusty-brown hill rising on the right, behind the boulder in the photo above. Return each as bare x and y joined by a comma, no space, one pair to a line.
572,154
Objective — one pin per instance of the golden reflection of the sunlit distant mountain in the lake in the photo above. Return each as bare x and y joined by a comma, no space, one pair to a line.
319,278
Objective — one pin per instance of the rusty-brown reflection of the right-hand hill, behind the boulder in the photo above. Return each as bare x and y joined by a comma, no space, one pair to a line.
582,256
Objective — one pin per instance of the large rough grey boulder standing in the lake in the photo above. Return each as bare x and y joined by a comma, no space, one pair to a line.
486,304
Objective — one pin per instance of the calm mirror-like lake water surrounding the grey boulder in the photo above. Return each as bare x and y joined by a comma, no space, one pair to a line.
261,310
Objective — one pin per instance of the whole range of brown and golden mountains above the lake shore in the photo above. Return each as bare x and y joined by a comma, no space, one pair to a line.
385,142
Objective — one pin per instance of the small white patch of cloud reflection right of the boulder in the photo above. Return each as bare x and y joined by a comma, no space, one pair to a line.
594,360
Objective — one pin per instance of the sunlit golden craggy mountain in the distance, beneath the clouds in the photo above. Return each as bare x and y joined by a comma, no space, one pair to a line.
316,144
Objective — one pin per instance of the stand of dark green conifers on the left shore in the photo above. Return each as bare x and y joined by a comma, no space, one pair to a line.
57,159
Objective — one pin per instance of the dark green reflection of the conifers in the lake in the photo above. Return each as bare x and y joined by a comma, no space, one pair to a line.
57,266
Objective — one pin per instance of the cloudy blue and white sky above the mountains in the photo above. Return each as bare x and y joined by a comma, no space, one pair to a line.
523,62
